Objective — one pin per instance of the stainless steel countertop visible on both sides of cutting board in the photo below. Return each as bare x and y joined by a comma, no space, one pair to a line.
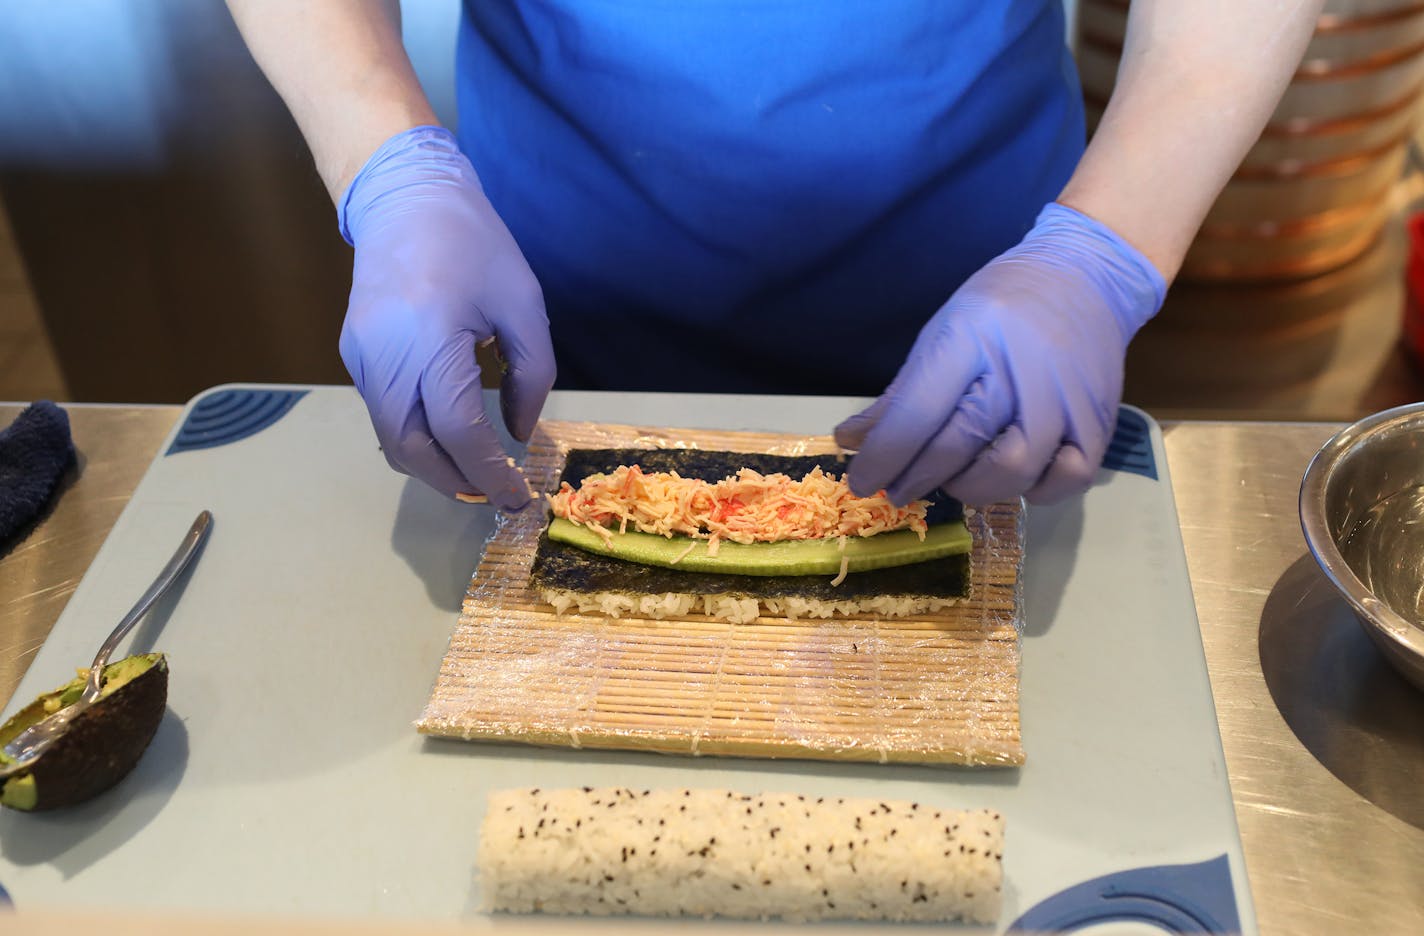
1325,744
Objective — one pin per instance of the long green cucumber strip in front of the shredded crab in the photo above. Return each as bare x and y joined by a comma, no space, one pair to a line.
787,558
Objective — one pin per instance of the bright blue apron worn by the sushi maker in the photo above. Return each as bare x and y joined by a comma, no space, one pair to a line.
761,196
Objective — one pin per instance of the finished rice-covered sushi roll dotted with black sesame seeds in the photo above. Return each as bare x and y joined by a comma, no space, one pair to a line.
701,853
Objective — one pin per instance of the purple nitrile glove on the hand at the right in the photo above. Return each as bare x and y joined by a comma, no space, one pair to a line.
1013,387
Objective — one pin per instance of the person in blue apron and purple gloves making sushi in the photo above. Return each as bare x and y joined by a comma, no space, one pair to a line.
859,197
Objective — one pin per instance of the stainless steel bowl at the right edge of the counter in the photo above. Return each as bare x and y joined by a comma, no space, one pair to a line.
1362,509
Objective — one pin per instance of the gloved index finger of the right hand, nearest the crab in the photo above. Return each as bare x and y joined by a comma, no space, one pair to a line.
919,402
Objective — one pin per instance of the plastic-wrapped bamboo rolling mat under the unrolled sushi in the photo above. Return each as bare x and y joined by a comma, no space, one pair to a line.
928,689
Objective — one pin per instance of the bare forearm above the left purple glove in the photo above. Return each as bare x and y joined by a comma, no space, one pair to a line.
344,73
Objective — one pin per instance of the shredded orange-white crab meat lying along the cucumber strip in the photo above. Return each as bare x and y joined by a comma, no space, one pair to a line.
750,508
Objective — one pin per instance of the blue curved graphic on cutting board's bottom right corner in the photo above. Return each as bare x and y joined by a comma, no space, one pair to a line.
1177,898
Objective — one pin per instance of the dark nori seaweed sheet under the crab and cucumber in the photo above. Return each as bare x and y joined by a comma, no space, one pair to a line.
567,568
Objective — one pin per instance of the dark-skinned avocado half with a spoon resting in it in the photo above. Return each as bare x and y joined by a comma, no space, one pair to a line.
100,747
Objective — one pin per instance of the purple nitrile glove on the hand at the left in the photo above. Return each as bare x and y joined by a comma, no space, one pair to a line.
436,273
